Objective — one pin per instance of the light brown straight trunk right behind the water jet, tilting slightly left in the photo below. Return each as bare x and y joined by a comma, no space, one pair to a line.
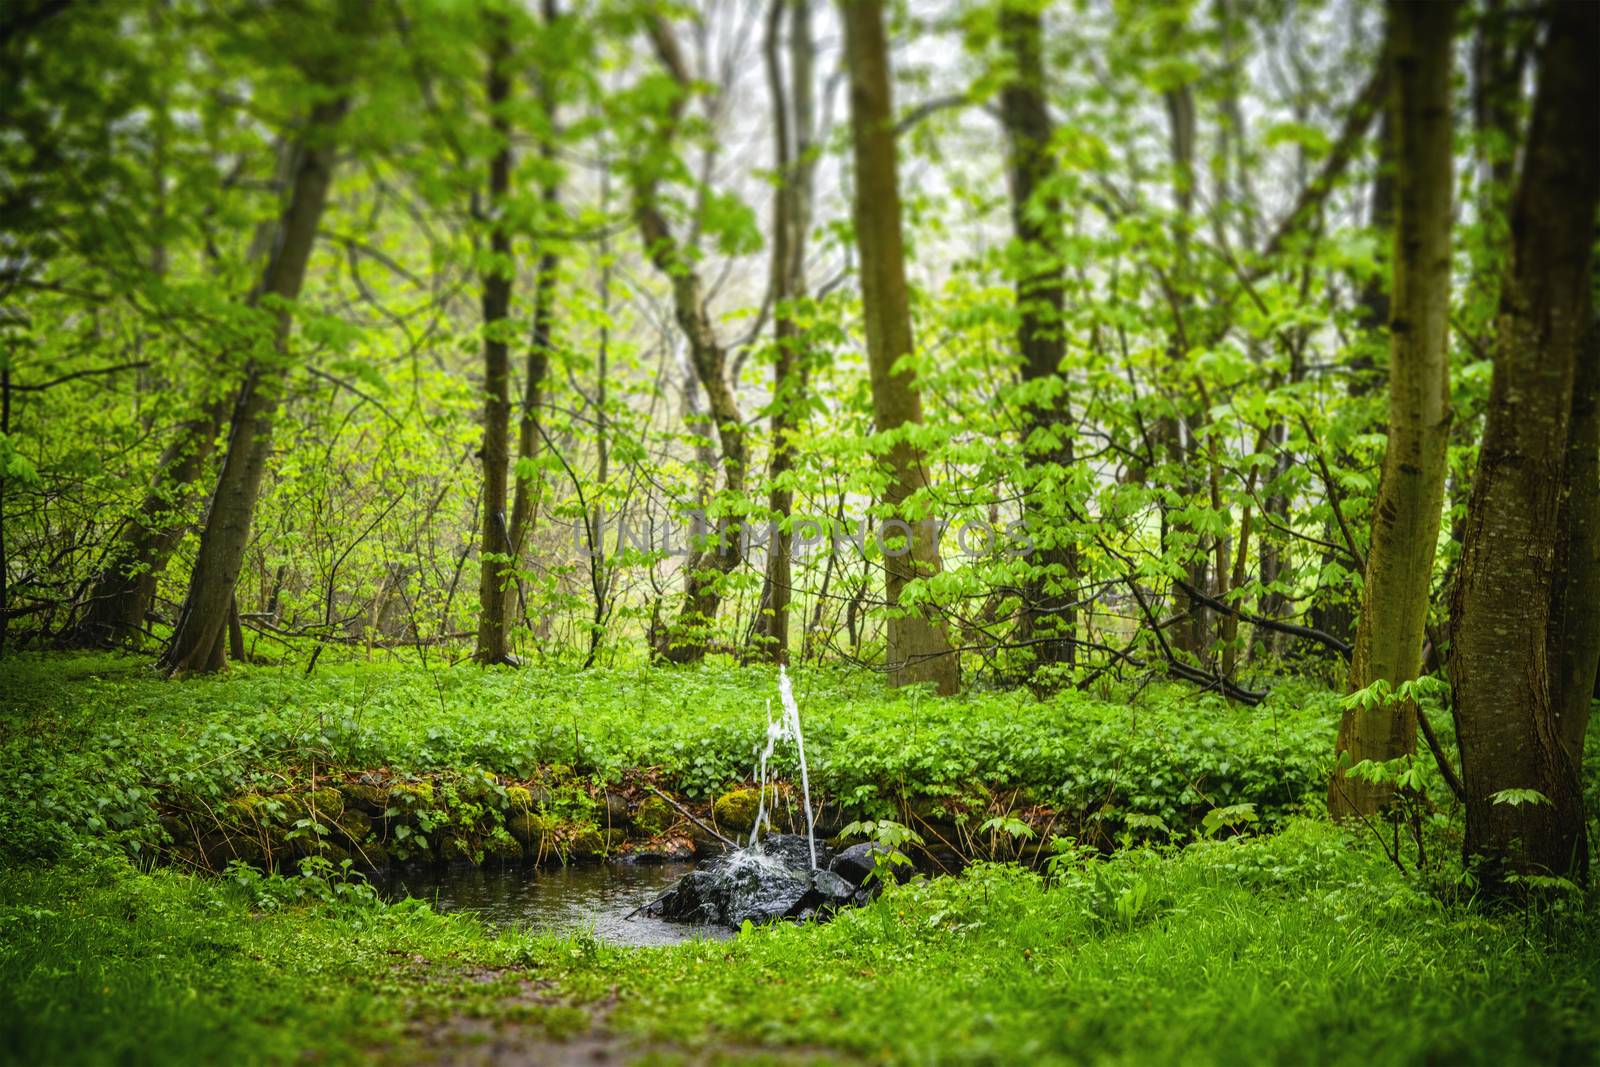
919,647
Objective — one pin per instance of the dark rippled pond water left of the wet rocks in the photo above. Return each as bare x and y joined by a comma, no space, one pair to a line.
598,897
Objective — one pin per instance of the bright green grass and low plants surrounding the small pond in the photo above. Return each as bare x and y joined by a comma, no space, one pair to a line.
1300,945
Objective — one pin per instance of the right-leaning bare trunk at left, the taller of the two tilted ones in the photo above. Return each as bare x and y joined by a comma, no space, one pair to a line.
202,625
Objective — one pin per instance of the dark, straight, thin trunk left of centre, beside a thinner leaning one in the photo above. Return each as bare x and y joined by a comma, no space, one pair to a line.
497,562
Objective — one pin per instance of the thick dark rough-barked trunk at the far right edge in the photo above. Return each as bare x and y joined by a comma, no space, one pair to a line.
1521,663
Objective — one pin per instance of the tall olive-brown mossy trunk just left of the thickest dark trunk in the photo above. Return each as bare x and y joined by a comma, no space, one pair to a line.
1412,489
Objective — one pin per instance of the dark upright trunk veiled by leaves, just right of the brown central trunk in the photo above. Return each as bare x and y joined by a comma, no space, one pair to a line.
1049,615
